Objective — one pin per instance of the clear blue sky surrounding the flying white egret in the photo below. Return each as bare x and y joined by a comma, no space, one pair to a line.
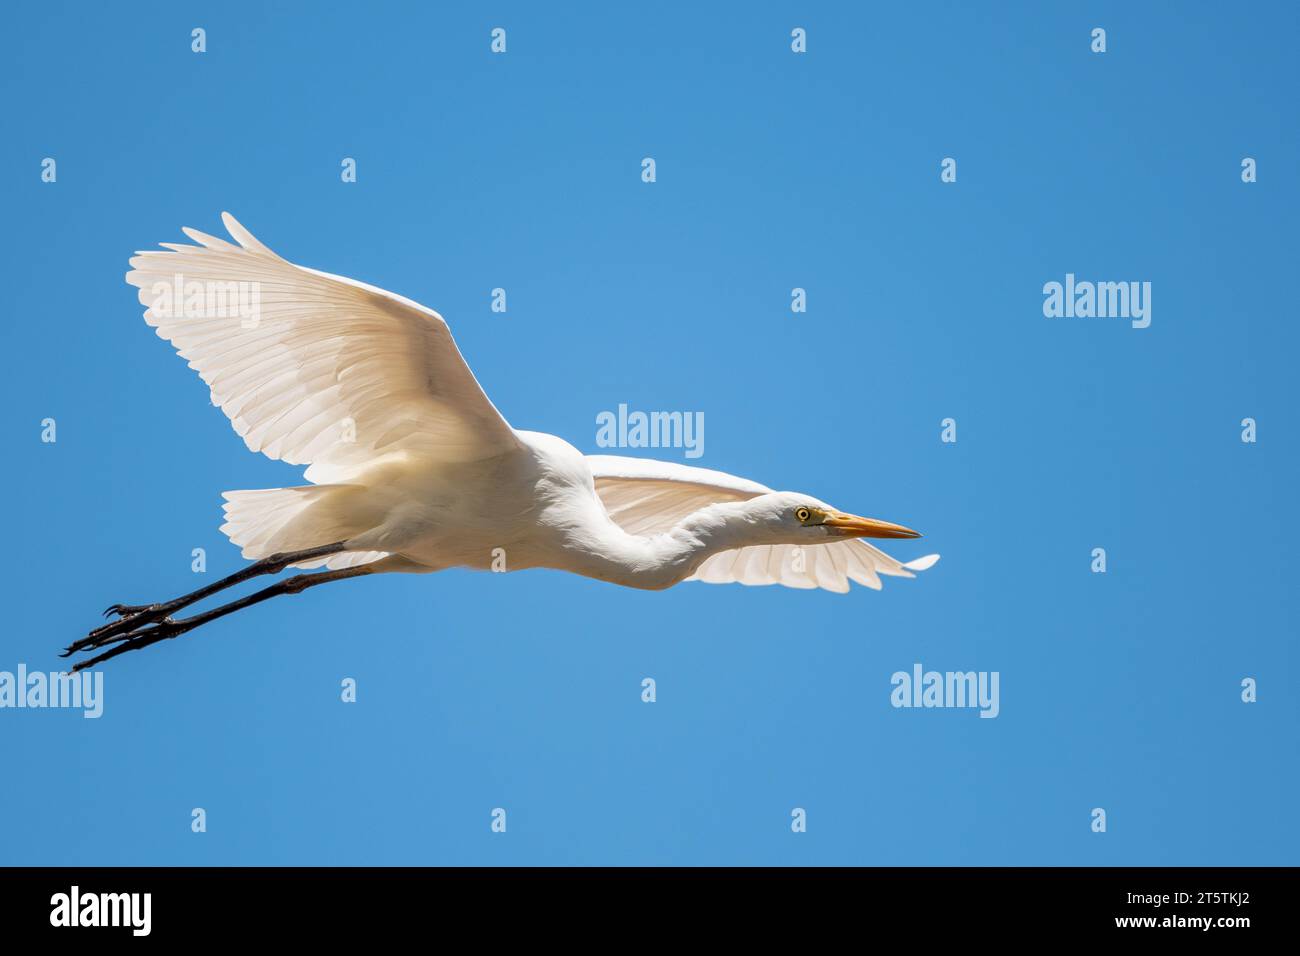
774,171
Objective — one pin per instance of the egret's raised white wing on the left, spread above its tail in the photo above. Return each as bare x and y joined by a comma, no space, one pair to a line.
311,367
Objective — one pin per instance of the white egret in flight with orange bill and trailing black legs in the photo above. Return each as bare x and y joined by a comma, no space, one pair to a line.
413,469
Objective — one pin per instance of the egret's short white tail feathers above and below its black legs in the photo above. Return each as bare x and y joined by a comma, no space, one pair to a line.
271,521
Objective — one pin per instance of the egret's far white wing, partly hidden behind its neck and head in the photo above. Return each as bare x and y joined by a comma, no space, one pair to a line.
647,498
